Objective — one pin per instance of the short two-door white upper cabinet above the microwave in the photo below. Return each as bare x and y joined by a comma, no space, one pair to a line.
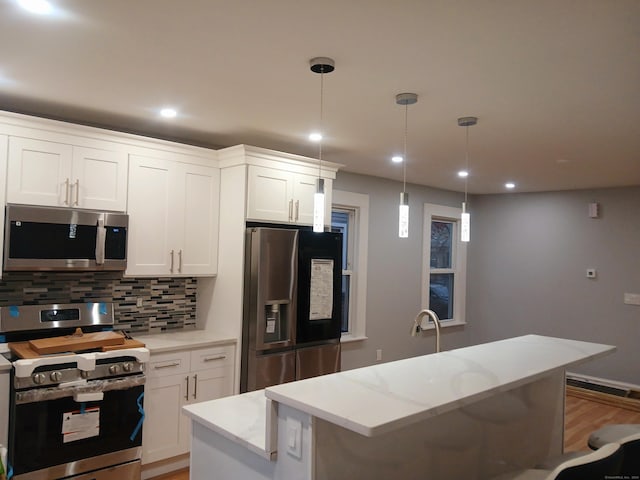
42,172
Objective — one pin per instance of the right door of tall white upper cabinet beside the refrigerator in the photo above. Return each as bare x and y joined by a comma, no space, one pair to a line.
199,191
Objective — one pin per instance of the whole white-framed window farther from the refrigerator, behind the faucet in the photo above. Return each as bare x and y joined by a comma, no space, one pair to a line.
444,264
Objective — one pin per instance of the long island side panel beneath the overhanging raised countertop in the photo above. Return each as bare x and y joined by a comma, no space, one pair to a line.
510,430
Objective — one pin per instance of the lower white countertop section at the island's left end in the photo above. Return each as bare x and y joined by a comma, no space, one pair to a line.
241,418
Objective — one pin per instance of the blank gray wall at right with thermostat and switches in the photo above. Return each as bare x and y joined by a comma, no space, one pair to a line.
527,265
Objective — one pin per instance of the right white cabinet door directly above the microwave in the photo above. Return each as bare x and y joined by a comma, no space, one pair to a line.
99,179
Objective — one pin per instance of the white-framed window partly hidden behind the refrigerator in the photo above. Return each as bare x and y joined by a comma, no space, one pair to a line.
350,216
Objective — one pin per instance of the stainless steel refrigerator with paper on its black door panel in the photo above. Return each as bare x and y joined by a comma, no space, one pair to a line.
292,306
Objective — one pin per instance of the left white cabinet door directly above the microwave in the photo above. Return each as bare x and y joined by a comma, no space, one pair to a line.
39,172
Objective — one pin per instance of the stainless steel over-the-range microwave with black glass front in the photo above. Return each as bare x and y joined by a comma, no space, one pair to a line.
50,238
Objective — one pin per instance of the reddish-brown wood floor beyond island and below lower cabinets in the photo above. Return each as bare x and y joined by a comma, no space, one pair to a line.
584,413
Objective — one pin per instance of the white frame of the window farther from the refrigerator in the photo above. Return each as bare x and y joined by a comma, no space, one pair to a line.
459,261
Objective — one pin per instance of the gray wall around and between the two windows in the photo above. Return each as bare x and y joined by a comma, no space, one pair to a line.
394,273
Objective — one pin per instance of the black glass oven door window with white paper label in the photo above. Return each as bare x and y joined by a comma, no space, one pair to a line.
37,439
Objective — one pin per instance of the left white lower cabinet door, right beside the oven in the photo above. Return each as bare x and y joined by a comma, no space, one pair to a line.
165,431
